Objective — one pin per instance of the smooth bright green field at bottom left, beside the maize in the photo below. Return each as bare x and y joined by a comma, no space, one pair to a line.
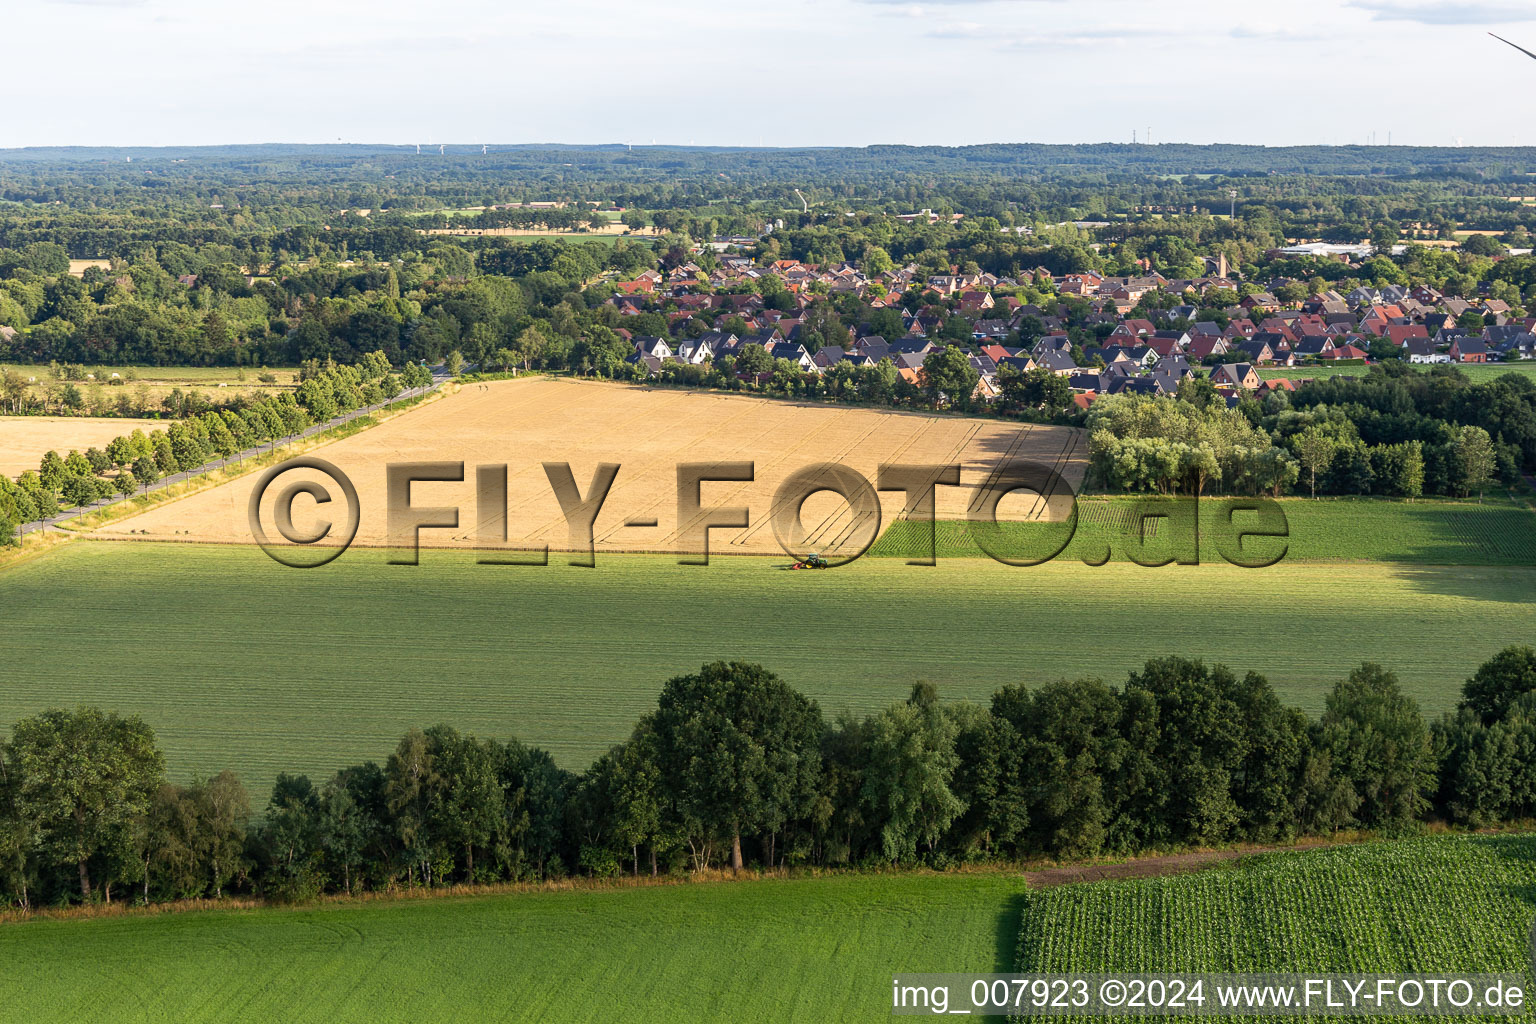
815,950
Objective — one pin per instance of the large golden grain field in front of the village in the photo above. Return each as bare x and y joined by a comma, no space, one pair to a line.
647,432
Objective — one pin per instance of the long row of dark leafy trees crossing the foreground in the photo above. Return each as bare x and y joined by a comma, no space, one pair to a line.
735,768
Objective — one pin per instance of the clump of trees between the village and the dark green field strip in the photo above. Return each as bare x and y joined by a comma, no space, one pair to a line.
1394,432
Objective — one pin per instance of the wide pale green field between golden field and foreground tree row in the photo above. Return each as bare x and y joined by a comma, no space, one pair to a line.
239,662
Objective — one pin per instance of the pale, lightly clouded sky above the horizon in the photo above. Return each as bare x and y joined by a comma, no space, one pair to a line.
786,73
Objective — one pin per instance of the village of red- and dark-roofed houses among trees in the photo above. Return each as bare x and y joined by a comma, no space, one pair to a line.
1008,335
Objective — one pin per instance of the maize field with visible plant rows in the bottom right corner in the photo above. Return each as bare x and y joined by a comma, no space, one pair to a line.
1460,905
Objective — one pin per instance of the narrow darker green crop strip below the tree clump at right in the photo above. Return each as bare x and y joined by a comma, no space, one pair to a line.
1434,532
